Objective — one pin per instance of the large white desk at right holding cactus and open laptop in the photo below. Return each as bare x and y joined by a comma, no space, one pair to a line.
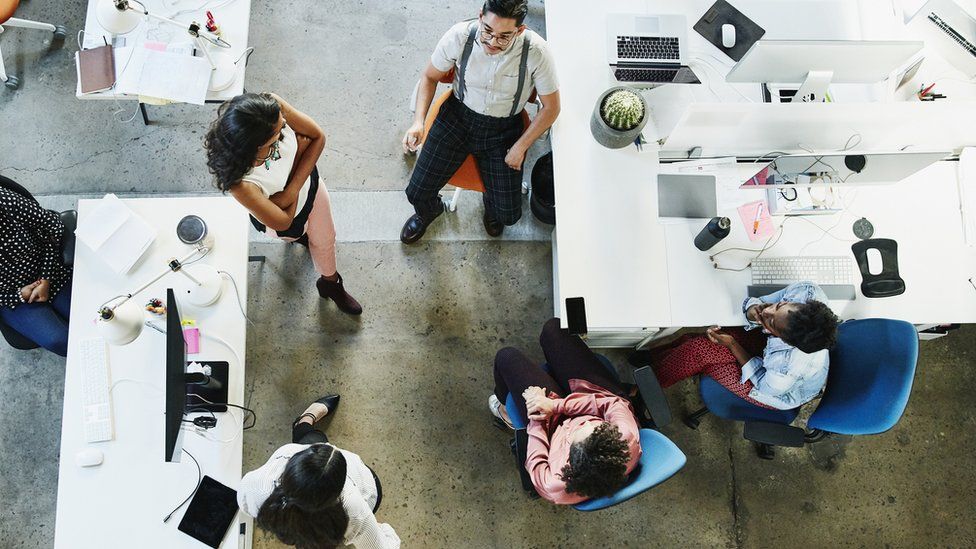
640,277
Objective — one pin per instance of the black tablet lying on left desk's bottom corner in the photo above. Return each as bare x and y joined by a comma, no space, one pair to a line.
210,513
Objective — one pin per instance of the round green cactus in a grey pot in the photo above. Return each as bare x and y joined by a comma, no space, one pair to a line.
619,117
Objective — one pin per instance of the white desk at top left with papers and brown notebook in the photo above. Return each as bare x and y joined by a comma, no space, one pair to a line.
233,16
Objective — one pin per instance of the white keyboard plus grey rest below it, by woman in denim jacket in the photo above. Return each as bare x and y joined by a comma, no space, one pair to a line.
834,274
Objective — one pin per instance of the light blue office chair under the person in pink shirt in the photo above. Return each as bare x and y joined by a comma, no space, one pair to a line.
660,458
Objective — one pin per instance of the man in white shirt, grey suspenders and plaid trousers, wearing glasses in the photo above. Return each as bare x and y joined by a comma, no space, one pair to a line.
497,64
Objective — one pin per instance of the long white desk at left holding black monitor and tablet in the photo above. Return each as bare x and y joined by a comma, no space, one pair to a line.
122,502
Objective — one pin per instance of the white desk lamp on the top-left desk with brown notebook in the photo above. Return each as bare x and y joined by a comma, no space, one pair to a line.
123,16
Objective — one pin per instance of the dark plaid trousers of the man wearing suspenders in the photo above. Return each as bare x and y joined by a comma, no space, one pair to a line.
457,132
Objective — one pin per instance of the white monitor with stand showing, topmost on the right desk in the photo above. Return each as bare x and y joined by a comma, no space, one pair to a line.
815,64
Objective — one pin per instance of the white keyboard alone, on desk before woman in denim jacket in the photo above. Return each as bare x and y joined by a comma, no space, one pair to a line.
787,270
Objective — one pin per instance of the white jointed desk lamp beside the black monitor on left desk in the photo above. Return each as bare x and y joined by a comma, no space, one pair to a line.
120,320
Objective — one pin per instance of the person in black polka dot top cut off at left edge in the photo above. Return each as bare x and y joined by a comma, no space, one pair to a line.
35,284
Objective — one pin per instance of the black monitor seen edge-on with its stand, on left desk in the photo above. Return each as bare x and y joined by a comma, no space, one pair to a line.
180,384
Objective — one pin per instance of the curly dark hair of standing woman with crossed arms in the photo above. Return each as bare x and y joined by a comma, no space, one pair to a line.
243,124
